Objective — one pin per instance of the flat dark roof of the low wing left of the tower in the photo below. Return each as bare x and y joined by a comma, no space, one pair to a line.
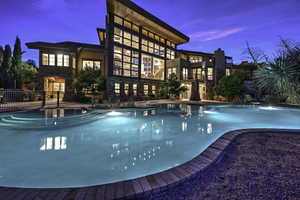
63,45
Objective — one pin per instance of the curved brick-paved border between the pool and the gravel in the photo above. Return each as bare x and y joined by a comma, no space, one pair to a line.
140,187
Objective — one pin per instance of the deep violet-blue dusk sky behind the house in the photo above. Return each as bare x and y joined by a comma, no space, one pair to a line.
211,24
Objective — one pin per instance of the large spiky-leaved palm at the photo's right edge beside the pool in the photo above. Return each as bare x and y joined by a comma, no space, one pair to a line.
280,76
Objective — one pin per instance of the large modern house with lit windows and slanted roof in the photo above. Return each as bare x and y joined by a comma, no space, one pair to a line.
137,53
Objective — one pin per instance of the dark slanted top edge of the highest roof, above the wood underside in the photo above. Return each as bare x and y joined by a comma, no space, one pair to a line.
151,17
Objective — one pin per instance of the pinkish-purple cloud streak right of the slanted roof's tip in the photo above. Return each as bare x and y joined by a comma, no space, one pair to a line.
215,34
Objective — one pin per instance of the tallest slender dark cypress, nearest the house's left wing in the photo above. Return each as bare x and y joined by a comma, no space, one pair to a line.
17,63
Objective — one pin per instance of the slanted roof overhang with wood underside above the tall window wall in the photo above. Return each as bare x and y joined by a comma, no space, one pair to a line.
132,12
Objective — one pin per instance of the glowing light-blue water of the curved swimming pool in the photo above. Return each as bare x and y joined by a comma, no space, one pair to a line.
74,148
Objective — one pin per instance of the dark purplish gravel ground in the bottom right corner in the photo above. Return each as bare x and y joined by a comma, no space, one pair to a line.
255,166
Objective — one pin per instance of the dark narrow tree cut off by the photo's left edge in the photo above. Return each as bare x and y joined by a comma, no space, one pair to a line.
6,68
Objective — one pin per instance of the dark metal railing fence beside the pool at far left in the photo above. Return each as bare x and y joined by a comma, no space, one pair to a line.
17,100
